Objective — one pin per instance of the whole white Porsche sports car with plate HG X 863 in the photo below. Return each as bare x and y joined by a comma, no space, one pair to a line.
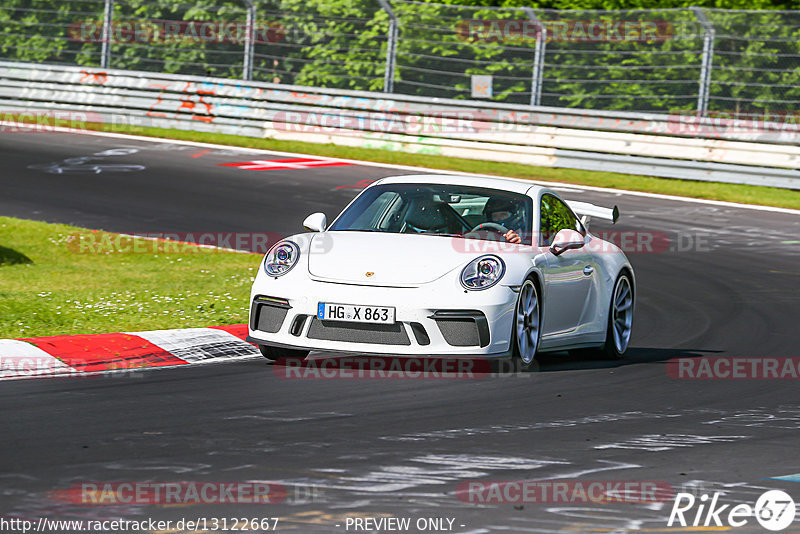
448,266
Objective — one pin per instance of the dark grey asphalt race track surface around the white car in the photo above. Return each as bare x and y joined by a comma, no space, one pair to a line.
726,285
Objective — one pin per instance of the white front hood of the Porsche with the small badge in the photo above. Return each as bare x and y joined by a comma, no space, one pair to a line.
392,259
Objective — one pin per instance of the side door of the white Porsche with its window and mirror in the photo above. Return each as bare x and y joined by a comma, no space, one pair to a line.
568,277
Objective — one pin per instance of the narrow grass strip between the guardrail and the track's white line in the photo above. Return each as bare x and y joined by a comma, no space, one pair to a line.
747,194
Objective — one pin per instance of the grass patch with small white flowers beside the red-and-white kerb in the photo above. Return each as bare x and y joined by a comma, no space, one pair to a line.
58,279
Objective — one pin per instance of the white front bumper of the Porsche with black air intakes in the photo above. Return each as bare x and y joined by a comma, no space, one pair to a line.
435,319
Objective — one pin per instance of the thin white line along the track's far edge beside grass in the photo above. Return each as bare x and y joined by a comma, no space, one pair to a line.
426,169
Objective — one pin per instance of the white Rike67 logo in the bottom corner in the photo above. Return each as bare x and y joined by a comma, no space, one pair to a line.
774,510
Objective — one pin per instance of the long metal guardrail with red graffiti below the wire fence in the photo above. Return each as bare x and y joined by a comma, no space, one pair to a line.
633,143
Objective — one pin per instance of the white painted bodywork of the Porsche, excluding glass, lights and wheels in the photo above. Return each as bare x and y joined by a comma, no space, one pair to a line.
419,275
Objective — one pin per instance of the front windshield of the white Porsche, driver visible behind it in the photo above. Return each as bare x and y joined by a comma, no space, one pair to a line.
433,209
